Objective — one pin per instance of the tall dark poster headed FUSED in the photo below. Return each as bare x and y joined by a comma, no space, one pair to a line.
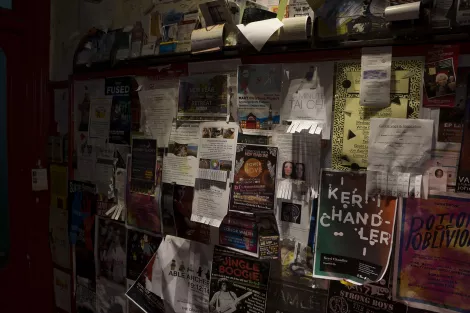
120,126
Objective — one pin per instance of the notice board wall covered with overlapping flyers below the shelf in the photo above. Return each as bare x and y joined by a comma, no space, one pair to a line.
336,184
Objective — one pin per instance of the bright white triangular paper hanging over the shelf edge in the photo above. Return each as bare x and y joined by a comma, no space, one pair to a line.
258,33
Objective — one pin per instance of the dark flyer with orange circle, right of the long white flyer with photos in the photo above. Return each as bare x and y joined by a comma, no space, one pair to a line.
255,178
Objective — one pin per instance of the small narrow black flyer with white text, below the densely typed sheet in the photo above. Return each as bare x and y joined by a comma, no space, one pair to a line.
144,163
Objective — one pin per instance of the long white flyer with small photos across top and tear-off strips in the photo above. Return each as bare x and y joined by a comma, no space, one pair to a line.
216,157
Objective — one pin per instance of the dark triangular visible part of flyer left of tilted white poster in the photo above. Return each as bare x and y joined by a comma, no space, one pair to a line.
141,246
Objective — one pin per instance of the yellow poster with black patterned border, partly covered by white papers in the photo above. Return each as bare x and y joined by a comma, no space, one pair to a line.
351,120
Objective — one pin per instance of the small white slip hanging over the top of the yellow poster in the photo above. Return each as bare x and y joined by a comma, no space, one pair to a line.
376,68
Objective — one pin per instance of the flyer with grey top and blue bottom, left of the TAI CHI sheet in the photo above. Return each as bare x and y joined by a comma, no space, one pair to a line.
259,95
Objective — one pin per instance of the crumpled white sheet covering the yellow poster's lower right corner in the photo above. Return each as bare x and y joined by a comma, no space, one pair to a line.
399,145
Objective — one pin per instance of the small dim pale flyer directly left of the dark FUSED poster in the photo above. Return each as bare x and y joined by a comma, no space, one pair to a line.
100,118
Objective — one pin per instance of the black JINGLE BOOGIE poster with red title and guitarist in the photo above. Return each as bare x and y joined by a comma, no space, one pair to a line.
238,284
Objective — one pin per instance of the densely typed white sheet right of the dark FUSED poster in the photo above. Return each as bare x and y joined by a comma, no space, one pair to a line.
157,114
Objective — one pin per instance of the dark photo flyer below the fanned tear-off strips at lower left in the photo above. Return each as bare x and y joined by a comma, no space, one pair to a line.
111,251
